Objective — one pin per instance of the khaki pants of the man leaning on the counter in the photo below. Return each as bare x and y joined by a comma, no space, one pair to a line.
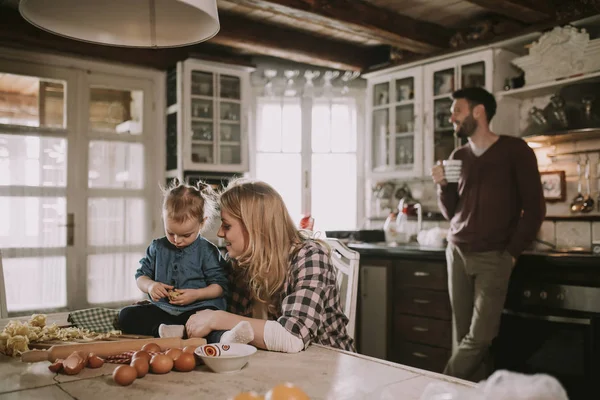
477,283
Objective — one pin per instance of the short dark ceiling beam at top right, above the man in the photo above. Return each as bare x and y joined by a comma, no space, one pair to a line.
529,11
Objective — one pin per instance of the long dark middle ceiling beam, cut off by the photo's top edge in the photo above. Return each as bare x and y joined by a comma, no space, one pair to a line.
360,18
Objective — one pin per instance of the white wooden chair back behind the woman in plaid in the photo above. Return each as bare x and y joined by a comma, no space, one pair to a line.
346,262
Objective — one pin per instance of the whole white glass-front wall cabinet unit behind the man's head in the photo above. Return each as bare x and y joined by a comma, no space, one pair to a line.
408,110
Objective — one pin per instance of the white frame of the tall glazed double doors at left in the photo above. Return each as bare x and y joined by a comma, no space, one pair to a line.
54,66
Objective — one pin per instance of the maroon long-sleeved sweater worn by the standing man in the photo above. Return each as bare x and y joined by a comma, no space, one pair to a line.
498,203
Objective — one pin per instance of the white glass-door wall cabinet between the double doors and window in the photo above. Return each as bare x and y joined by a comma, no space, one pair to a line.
207,117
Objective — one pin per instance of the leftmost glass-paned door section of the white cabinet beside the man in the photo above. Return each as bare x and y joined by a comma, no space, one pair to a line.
395,124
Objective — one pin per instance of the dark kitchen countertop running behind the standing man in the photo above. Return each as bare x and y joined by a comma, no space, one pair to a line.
417,251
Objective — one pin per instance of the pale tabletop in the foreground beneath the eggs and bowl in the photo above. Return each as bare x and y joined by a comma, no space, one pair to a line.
323,373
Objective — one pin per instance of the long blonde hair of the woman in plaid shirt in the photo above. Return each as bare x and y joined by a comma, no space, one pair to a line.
273,238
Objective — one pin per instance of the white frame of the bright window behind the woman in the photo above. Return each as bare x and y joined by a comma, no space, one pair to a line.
306,105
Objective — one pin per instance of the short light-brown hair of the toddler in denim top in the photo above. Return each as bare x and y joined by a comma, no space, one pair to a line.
183,202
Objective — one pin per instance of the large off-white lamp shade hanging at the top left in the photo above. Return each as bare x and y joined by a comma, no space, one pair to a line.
126,23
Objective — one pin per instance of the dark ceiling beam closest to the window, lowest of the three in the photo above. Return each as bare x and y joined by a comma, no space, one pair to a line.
290,44
